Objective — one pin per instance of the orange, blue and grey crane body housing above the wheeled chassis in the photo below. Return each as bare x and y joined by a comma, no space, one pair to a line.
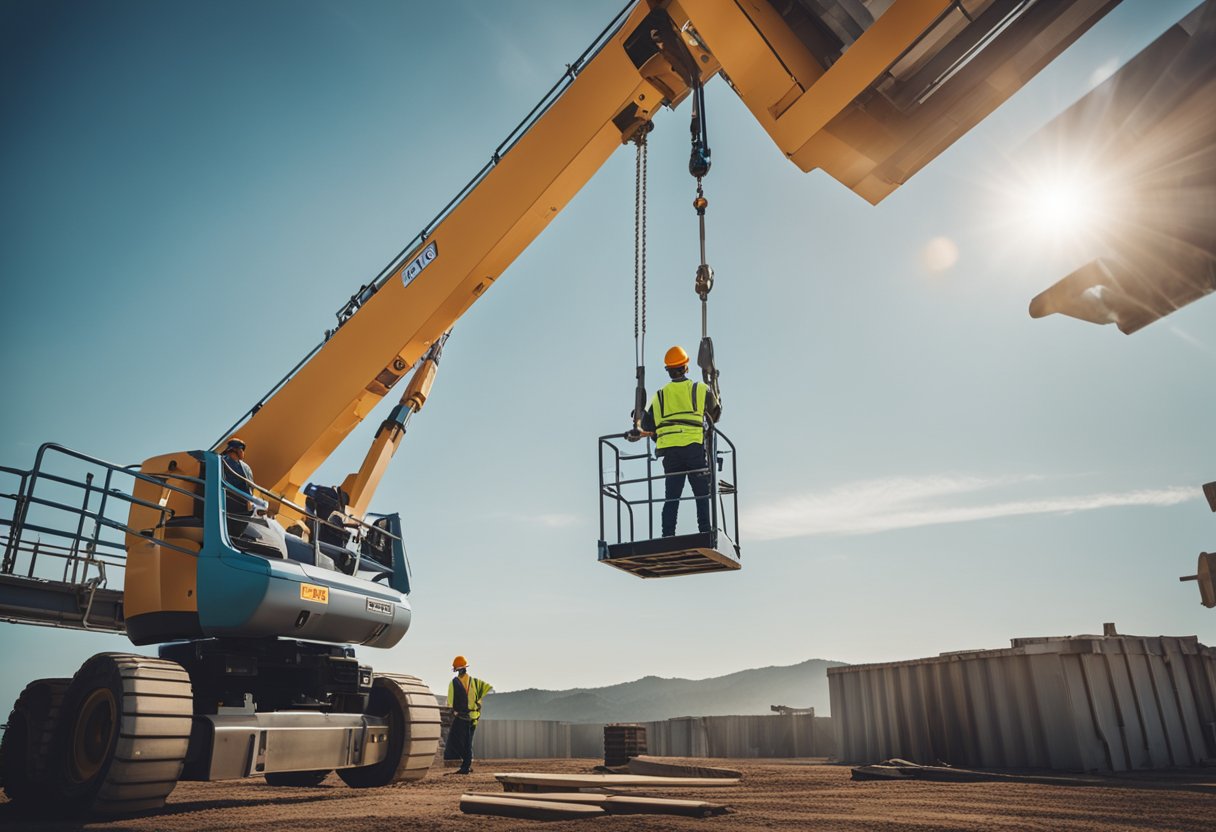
198,567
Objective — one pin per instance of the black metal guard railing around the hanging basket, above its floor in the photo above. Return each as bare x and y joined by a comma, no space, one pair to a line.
633,488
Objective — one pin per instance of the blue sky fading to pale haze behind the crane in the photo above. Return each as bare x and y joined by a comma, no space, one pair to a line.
190,192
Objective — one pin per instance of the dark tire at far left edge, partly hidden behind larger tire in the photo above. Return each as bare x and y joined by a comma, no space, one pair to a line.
26,747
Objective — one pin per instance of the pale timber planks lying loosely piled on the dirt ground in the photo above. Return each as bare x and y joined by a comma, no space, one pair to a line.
570,797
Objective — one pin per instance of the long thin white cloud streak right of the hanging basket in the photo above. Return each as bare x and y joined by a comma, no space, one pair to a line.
905,503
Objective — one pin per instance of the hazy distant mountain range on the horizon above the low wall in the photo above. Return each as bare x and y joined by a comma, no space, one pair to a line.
655,699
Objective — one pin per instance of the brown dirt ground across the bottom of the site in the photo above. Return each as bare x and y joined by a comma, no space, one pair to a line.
775,795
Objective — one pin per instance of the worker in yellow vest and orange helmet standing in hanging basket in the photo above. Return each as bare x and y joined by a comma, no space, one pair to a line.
677,419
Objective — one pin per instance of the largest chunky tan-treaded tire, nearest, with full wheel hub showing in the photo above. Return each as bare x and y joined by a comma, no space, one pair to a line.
123,738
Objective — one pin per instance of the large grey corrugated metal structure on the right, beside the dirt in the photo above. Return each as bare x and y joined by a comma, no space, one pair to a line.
1082,704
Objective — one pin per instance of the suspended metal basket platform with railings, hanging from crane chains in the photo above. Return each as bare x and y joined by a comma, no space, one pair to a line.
632,499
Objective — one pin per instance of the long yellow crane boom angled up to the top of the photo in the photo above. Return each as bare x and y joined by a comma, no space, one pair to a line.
869,95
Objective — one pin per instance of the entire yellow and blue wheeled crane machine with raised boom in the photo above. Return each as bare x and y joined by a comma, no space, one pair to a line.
256,614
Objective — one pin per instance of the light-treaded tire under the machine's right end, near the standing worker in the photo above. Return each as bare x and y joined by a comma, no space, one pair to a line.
413,716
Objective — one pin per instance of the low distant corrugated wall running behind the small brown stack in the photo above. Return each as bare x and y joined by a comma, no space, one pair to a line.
762,737
